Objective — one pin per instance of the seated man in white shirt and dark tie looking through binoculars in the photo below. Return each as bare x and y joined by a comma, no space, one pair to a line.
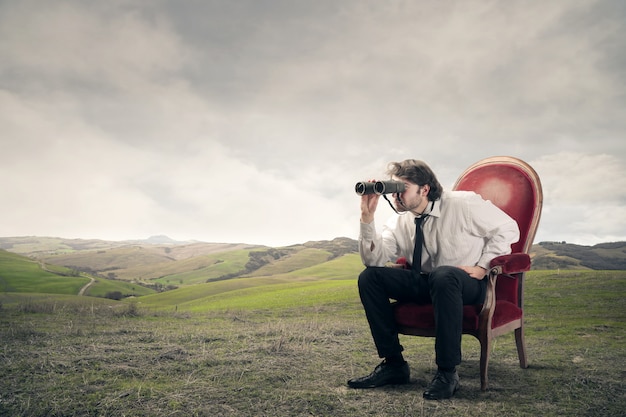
462,233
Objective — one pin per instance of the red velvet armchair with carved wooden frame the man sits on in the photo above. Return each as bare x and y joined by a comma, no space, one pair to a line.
514,186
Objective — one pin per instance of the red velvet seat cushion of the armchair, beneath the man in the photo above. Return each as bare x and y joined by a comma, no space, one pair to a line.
421,315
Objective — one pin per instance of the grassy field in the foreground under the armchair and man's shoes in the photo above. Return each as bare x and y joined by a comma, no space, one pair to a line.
287,349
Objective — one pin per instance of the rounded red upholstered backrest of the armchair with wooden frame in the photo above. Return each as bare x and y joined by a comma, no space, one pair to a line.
513,186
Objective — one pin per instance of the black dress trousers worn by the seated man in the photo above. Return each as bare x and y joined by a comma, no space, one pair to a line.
448,288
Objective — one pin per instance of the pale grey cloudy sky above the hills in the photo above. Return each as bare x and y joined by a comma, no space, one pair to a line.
251,120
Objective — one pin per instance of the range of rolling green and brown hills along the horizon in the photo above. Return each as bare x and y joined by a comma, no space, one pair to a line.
139,268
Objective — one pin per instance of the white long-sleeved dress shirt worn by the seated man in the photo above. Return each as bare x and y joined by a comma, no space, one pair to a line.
461,229
